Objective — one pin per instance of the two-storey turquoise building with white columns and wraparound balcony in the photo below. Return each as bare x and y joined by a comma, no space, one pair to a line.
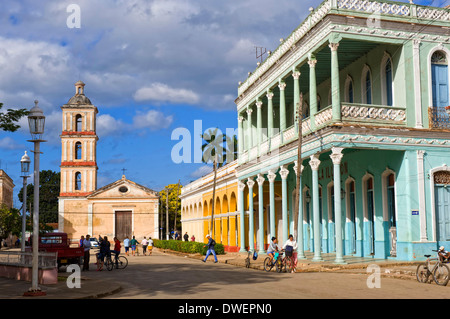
372,79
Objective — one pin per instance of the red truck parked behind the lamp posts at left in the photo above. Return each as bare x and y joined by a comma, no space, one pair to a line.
58,242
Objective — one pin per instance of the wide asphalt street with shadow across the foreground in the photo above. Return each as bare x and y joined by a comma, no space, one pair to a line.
163,276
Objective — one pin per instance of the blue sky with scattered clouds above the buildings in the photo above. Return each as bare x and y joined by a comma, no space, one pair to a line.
150,66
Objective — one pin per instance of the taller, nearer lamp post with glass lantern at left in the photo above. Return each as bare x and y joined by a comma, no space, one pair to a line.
36,123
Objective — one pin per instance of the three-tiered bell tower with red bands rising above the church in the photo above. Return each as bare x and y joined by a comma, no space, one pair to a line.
79,145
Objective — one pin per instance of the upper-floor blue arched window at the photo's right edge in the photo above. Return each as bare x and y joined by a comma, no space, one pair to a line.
439,79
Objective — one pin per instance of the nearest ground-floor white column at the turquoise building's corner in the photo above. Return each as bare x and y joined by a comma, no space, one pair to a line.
336,157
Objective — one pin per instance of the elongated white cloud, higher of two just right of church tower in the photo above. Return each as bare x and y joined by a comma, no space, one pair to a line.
160,92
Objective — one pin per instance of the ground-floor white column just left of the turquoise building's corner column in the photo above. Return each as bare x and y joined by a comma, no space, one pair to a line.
314,163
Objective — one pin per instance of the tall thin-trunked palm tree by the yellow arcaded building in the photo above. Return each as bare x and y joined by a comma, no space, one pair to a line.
214,152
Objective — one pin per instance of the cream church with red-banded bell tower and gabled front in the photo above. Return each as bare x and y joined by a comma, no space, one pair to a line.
122,208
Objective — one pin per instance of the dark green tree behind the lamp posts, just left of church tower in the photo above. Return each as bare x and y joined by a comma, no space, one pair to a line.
49,189
